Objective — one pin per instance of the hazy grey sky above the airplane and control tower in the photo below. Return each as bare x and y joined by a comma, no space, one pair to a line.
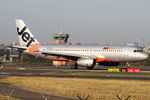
87,21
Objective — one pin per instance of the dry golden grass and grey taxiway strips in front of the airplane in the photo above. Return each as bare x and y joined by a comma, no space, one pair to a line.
63,81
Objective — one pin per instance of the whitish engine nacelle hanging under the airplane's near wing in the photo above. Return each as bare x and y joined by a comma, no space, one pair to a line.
87,62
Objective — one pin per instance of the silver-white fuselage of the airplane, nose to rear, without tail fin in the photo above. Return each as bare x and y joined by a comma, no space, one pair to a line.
117,54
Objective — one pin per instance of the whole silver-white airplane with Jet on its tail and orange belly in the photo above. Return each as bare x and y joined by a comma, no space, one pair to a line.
81,55
